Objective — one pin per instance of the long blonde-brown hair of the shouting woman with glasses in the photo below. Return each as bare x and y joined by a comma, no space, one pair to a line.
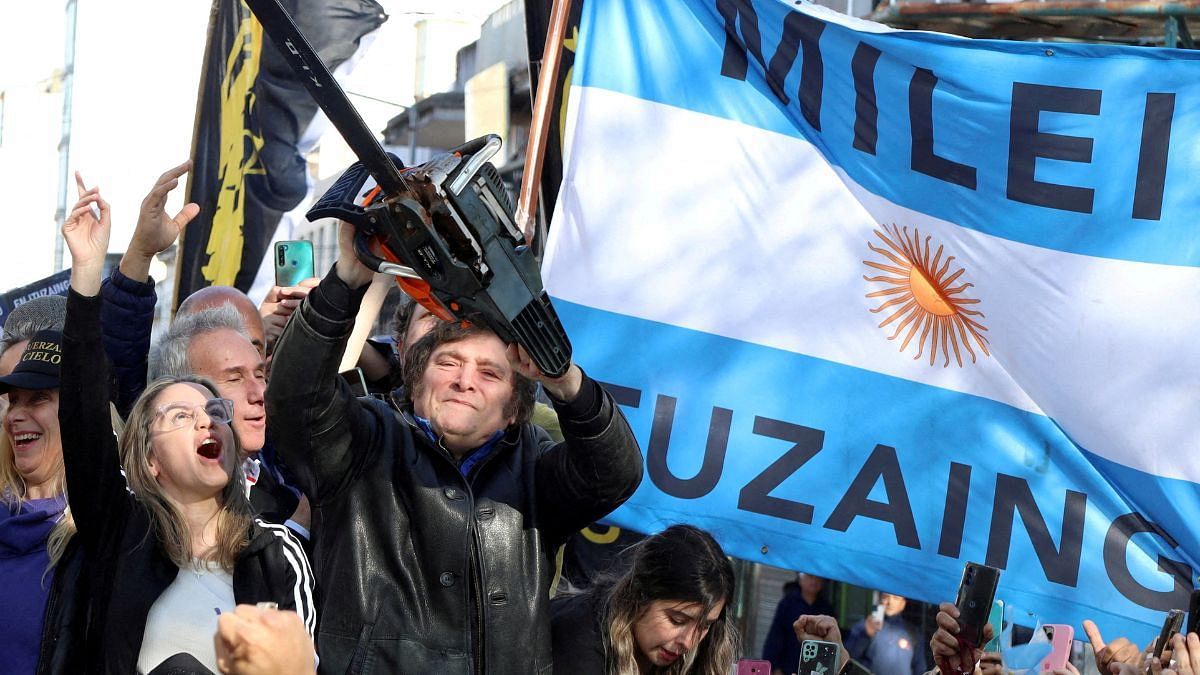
170,527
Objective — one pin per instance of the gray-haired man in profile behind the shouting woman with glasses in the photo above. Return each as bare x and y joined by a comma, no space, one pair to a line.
214,343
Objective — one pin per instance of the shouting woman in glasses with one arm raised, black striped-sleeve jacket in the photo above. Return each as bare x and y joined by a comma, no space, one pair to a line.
172,545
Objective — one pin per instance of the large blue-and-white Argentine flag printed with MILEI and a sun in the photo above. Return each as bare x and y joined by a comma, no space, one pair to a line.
879,303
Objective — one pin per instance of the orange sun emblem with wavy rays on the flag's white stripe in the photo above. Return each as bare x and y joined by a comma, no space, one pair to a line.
920,296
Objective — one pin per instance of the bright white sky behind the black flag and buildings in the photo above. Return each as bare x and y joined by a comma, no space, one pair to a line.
137,73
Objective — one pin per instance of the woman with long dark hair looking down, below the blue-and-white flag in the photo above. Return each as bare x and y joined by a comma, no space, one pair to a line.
668,614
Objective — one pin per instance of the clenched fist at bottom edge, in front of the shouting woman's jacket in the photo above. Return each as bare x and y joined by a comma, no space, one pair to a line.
263,642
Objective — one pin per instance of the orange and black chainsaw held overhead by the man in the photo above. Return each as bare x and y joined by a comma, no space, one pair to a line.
445,229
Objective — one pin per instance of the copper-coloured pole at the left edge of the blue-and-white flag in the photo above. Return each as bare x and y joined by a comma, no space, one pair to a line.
539,128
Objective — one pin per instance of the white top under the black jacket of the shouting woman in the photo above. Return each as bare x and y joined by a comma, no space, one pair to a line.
184,619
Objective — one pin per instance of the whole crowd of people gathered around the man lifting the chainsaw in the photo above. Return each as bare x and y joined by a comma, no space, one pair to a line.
221,501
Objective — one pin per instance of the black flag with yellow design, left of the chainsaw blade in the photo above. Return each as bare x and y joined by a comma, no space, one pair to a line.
251,116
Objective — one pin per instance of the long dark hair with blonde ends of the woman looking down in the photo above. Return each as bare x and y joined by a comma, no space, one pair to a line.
681,564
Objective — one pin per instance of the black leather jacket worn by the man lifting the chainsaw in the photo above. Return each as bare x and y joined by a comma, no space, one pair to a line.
423,570
